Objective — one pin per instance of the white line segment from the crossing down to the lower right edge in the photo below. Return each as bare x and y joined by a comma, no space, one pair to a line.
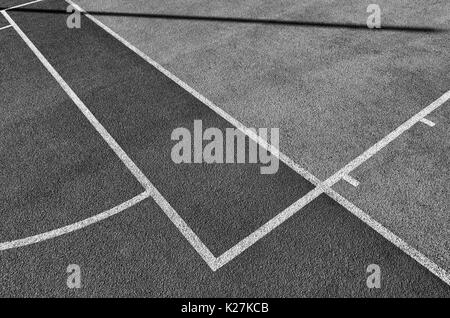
391,237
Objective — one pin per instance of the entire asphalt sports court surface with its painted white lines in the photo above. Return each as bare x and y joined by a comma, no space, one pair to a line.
86,175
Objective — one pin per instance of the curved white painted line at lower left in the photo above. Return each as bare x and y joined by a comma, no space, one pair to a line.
75,226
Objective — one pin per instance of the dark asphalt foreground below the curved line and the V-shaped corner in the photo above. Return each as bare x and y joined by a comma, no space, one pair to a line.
322,251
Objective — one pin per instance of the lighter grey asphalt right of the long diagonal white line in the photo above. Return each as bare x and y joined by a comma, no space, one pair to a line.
332,92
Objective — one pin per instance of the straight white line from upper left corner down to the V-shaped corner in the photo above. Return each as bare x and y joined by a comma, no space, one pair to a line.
150,188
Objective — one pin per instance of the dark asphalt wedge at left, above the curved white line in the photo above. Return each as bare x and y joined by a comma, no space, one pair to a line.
55,168
